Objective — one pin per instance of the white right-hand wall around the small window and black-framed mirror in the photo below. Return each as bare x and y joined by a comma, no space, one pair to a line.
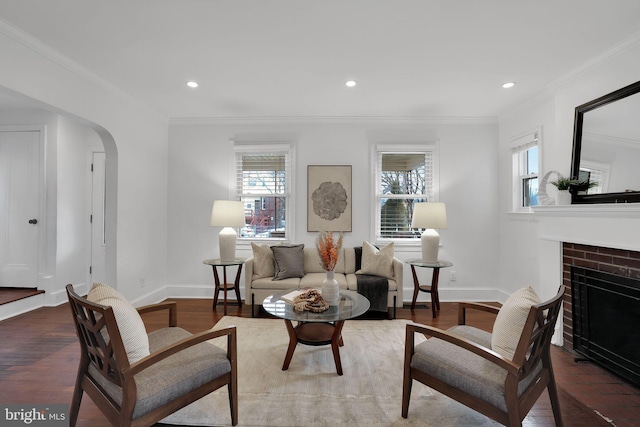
520,244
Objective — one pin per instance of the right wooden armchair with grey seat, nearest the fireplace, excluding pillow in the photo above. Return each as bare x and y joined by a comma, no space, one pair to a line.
461,364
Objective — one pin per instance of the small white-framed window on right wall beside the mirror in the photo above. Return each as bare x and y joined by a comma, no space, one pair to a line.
526,164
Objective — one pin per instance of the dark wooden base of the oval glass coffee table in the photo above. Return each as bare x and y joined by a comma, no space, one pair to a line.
315,334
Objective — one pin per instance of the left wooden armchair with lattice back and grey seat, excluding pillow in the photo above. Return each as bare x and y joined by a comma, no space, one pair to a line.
179,369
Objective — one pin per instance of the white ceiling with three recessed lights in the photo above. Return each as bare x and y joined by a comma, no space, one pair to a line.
291,58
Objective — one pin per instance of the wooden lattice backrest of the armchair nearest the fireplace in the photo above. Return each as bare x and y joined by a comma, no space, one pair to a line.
535,341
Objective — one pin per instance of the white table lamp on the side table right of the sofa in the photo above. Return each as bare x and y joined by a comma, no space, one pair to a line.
429,215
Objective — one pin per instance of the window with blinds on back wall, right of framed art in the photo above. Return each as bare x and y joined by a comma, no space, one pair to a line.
404,175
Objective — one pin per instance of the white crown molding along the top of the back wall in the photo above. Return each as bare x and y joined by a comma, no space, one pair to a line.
187,121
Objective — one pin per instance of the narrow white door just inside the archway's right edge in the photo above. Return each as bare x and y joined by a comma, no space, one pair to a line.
98,244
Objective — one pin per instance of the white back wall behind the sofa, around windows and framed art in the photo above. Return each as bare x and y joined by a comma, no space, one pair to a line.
201,164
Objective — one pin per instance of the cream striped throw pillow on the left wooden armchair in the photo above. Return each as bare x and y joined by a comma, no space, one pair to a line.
132,330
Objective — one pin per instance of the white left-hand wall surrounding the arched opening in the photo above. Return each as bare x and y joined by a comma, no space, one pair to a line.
135,140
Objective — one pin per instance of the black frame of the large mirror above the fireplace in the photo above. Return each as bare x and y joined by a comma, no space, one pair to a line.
623,197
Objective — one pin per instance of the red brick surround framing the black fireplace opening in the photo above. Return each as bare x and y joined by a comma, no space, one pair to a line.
620,262
